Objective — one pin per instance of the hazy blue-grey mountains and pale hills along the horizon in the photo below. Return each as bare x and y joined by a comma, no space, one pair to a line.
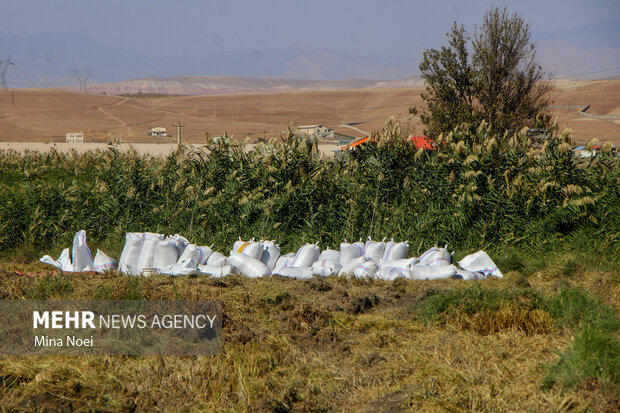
45,60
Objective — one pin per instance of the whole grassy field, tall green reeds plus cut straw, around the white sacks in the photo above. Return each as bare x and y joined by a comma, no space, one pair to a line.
544,338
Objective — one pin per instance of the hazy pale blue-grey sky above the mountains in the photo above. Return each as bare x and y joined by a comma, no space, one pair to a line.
195,27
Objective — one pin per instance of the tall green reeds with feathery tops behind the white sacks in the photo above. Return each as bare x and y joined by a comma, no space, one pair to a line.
477,190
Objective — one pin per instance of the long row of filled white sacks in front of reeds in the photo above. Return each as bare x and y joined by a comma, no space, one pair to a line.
148,253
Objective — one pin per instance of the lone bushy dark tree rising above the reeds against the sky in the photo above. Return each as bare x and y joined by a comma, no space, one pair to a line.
495,79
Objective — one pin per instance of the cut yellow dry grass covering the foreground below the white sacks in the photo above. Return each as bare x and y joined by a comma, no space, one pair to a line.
318,345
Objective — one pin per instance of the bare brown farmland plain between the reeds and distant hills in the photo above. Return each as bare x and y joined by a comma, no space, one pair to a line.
45,115
